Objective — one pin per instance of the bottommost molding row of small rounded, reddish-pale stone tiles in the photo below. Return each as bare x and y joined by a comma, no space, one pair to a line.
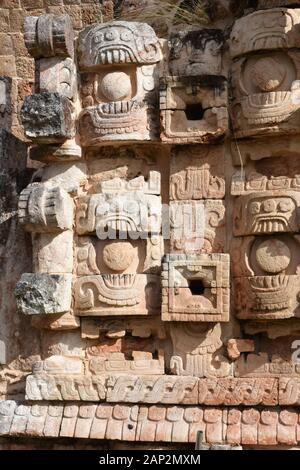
151,423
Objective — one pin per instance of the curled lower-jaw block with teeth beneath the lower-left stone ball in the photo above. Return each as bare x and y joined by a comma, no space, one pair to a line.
117,294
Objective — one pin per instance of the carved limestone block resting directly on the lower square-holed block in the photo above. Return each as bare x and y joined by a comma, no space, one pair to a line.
197,226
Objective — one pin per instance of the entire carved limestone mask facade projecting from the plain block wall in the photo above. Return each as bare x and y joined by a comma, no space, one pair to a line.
165,228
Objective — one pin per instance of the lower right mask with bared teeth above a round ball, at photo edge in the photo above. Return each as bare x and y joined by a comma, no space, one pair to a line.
266,220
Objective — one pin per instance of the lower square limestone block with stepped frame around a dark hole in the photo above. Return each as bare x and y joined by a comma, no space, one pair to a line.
196,288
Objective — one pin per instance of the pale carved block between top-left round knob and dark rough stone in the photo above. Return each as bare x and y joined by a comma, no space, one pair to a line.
57,76
